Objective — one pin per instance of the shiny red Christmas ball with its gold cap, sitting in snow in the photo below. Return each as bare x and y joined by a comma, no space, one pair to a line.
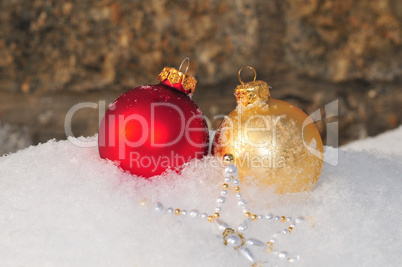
152,128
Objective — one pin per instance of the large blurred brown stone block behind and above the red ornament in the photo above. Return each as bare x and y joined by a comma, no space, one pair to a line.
87,45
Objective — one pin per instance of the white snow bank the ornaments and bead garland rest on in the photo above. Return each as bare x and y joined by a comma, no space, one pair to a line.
61,205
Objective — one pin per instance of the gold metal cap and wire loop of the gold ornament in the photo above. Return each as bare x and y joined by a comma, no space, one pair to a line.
250,92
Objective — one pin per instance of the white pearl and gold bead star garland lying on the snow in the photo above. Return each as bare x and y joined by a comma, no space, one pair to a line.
236,238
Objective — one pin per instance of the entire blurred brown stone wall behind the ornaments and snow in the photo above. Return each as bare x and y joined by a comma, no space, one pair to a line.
56,53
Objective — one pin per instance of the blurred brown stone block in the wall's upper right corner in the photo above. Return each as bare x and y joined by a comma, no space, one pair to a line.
345,40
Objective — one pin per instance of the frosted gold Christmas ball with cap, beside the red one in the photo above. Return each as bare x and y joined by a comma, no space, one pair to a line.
272,141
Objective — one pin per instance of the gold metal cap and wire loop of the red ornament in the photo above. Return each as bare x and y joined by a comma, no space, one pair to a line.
177,79
